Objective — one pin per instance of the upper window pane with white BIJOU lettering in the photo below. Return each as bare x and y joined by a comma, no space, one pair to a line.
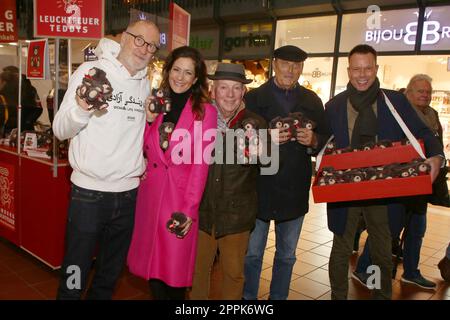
395,30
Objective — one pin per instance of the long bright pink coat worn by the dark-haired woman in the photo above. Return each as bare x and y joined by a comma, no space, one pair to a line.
155,252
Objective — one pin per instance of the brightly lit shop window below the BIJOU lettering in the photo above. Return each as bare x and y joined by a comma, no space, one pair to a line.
394,73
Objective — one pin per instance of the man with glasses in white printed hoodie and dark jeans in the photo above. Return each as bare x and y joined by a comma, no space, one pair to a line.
107,160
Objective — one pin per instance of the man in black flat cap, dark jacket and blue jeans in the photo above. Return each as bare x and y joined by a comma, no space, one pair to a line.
283,197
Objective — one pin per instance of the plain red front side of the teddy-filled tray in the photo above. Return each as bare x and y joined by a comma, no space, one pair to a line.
374,189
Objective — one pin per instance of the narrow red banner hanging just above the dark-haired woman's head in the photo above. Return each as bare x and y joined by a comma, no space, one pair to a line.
180,22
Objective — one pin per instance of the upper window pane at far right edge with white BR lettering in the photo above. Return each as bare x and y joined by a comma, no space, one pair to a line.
436,29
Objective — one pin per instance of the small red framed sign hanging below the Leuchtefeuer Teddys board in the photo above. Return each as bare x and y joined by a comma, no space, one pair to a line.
38,60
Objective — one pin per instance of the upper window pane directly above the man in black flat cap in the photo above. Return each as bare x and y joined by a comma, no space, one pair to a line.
314,35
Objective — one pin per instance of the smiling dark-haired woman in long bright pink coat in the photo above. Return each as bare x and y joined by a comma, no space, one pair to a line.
162,250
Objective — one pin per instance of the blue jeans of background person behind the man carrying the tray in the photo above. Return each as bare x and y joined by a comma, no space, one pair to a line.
412,245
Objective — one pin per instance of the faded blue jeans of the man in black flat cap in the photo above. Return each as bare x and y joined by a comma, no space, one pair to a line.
287,234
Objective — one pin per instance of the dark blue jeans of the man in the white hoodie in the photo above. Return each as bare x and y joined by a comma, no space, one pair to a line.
101,224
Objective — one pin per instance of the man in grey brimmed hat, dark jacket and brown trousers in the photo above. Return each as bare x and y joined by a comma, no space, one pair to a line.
228,209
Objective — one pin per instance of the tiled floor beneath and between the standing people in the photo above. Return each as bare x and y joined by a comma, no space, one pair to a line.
24,277
